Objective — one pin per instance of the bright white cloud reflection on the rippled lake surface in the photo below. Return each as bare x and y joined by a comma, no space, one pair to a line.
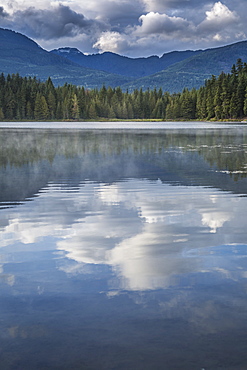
150,233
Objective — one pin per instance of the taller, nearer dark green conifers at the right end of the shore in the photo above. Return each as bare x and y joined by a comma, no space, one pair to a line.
223,97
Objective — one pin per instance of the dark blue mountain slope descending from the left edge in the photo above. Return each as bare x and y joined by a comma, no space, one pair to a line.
19,54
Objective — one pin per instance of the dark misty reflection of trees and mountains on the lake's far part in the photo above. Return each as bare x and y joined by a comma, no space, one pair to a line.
199,157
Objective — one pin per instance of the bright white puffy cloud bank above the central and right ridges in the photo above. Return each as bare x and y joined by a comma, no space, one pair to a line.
211,25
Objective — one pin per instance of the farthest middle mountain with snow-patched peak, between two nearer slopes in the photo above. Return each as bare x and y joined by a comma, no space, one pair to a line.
118,64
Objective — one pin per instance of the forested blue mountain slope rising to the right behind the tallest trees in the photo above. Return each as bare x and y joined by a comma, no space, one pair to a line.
193,71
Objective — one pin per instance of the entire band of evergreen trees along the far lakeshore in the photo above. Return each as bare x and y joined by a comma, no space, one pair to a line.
27,98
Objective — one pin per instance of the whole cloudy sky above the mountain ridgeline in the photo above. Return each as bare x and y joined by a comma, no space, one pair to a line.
135,28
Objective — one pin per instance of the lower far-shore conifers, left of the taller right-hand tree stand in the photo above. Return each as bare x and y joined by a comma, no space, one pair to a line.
23,98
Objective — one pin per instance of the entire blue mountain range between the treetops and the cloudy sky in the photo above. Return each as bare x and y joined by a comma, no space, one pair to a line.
172,72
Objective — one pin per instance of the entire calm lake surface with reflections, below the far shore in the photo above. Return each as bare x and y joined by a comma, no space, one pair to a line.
123,249
